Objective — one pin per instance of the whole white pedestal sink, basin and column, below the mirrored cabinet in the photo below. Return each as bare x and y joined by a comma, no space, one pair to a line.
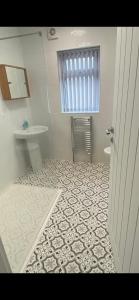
30,135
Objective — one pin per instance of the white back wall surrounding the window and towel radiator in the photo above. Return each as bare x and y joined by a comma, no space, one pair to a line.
60,123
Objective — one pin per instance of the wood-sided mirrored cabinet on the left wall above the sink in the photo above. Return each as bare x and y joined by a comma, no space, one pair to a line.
13,82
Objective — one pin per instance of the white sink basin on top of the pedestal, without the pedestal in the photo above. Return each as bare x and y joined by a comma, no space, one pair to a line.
31,131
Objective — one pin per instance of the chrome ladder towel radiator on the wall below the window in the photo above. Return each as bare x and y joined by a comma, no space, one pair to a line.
81,134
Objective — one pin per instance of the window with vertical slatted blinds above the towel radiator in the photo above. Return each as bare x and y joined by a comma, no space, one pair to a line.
79,80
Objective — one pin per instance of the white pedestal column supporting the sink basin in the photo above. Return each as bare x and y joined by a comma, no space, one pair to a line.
34,154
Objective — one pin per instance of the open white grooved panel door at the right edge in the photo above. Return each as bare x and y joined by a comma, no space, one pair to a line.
124,172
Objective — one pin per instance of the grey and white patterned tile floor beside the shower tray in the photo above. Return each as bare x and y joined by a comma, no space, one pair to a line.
75,239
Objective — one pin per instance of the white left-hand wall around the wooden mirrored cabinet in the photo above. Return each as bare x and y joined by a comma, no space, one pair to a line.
12,113
